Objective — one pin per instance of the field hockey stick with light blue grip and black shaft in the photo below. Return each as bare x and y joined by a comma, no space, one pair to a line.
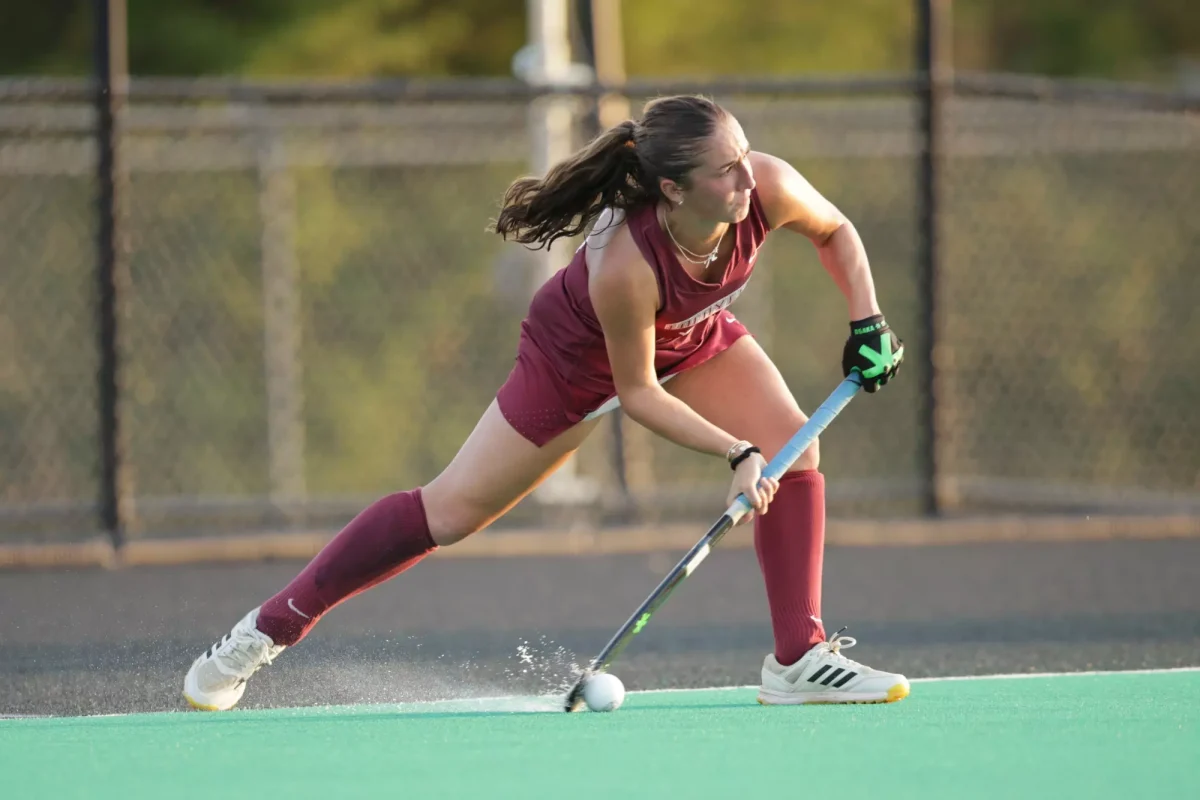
801,442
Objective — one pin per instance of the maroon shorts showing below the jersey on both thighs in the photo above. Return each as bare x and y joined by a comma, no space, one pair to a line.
541,405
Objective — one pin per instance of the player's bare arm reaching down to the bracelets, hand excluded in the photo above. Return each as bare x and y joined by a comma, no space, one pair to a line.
626,296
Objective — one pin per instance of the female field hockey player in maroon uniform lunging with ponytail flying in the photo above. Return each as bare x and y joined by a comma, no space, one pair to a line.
677,207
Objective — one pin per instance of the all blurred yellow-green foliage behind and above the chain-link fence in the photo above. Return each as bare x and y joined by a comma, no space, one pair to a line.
1069,249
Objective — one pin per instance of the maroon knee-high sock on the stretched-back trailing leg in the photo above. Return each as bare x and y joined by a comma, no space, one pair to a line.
386,539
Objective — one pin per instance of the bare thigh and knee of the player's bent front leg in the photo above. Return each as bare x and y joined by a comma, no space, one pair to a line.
742,393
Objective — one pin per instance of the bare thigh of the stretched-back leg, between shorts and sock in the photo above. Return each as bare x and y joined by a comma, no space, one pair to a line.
491,473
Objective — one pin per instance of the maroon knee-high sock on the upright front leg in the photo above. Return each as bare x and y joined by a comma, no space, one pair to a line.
790,543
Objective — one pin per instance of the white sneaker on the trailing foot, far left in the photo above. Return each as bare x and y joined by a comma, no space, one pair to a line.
218,679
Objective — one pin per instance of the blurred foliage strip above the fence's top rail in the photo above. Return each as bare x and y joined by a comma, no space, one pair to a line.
1142,40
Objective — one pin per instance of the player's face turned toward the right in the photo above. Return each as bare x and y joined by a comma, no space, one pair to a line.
722,184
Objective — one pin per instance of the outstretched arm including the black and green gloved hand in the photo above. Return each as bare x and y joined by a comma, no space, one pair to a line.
873,350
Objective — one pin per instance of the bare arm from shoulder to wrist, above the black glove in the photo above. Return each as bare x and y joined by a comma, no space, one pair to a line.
793,203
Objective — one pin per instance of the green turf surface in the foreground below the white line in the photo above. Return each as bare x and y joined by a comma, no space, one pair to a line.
1093,736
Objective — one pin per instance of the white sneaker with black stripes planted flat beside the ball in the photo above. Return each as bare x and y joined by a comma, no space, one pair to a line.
825,676
